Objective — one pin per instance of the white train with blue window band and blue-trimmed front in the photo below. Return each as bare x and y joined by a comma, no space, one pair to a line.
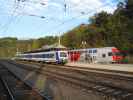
51,56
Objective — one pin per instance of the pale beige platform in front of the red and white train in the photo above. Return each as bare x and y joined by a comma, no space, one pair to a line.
112,67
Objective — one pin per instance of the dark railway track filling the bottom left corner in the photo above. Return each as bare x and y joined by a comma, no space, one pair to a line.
14,89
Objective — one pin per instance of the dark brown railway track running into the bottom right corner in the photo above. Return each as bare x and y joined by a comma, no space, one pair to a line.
103,89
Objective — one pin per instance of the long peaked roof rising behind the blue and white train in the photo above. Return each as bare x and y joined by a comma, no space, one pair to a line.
54,47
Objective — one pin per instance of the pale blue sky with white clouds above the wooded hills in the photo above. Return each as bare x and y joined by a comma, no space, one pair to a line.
26,19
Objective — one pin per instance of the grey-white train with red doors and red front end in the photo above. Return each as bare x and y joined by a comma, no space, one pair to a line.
96,55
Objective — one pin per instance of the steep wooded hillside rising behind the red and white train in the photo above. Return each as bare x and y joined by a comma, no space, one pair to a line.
105,29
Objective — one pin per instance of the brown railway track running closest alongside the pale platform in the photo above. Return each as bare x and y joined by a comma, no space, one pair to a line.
103,71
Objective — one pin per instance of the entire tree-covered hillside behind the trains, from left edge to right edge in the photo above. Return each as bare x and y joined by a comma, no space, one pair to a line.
104,29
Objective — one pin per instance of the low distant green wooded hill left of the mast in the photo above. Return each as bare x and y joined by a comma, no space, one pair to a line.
9,46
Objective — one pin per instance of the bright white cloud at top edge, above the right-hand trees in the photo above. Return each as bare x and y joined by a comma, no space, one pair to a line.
88,5
